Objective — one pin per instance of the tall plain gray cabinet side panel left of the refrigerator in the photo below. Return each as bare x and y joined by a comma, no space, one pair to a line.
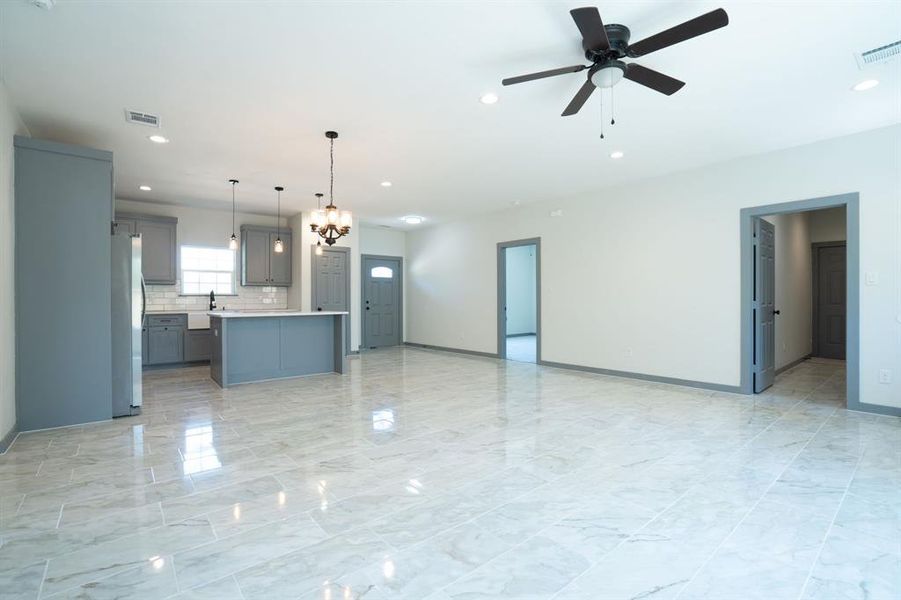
63,330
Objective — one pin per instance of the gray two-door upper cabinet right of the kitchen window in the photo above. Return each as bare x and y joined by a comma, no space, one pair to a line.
260,263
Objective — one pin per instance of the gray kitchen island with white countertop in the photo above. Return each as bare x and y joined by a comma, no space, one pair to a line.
248,346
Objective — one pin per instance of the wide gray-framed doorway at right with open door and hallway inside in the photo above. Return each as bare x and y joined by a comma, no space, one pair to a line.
799,262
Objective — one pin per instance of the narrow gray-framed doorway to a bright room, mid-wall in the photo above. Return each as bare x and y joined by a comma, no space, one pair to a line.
519,300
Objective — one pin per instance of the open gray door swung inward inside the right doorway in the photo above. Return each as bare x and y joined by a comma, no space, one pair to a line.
764,304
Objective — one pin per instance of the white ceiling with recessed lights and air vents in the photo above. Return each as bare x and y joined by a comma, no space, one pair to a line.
246,90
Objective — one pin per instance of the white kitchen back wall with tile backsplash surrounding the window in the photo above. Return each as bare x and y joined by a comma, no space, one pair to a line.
212,228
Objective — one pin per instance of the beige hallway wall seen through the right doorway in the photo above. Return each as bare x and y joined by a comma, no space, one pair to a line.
794,292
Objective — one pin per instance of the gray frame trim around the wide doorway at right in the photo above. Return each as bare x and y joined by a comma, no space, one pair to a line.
851,202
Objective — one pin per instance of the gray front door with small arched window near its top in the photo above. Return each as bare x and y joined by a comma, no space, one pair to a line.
381,301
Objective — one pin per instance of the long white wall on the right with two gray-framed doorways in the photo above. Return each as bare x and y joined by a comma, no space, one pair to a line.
645,277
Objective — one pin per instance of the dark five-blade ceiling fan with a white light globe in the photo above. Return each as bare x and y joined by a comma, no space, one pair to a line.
606,45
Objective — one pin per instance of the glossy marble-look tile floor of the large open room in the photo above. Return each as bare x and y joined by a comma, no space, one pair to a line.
436,476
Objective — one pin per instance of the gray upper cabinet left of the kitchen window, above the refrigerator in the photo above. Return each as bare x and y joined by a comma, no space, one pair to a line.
159,248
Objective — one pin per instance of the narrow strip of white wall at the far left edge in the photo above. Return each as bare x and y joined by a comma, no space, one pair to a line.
10,124
